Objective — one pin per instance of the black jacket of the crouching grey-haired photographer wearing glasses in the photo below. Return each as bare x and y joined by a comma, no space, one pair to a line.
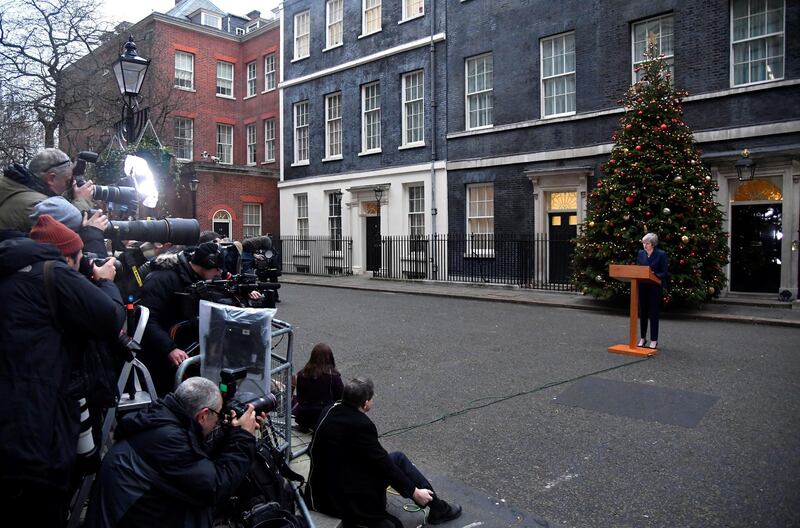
160,474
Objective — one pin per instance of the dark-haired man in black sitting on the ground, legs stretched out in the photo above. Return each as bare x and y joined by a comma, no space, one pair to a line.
350,470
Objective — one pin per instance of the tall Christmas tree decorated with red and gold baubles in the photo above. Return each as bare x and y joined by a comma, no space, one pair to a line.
654,182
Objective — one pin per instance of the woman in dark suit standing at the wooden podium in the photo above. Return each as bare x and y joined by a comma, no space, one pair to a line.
650,294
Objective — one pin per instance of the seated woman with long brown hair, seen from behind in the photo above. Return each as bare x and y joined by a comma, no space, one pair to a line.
318,385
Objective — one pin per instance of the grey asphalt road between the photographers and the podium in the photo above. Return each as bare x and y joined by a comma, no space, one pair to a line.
470,391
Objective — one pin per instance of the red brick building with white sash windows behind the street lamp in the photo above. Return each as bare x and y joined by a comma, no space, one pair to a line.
212,95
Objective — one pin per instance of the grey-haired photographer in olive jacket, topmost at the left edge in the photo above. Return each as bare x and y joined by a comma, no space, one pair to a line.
49,173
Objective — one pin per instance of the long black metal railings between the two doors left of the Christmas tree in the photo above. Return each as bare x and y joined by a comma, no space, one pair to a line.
529,262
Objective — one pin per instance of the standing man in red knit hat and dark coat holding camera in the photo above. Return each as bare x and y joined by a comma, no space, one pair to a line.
47,315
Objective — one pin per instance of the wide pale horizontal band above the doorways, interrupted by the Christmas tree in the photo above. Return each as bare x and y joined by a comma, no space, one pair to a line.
597,150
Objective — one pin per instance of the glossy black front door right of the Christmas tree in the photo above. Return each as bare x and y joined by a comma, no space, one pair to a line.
756,234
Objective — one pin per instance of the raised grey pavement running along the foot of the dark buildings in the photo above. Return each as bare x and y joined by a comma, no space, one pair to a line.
742,308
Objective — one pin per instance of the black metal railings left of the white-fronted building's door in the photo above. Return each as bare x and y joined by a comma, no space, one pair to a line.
317,255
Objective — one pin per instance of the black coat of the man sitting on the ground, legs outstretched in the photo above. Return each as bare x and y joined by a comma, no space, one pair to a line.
350,469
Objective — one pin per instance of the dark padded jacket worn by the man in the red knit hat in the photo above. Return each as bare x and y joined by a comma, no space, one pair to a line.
39,415
